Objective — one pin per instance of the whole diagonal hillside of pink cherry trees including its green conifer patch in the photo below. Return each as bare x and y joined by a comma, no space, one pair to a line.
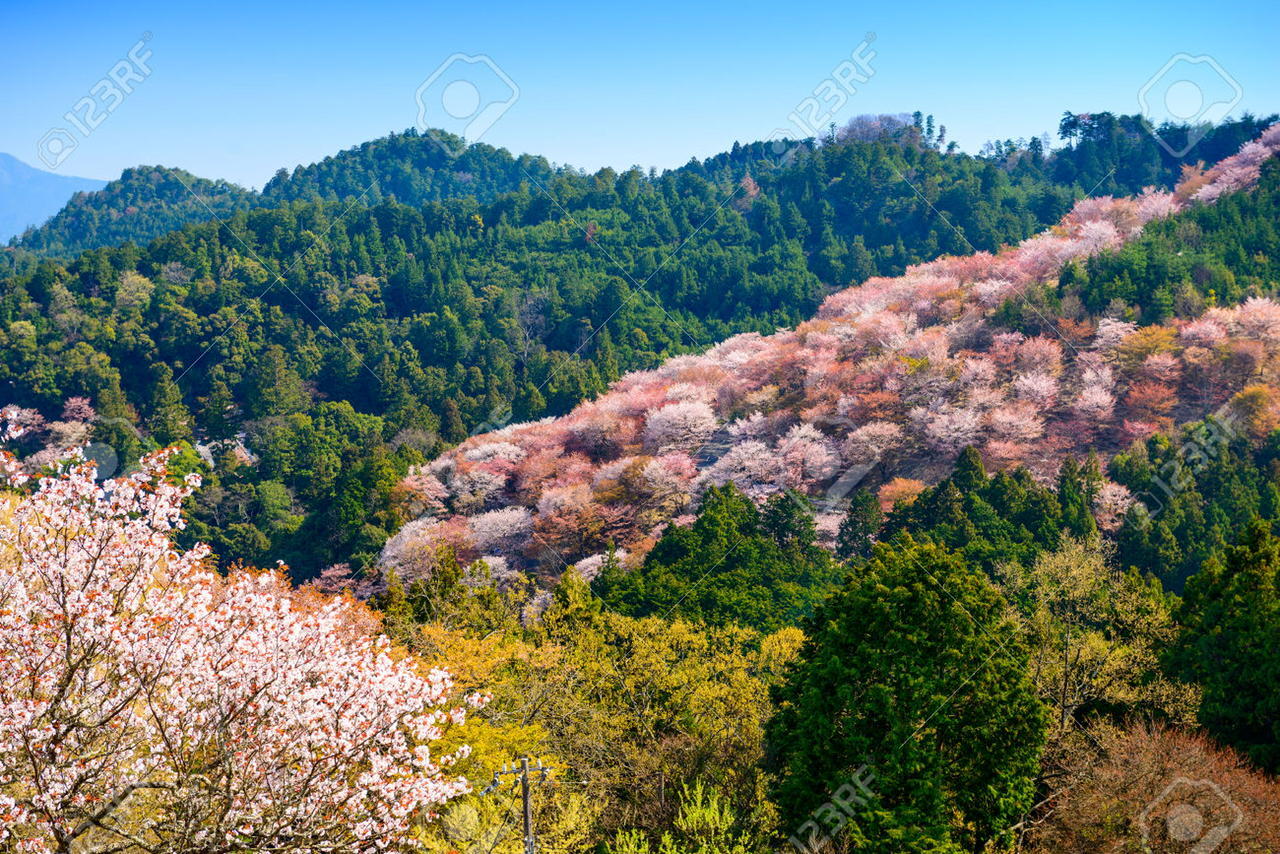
890,382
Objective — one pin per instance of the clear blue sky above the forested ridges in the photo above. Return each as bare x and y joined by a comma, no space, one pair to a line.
254,86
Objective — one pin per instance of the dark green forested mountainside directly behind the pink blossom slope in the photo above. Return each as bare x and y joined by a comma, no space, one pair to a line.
350,344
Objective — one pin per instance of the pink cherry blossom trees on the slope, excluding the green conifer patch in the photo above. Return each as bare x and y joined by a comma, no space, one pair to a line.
892,380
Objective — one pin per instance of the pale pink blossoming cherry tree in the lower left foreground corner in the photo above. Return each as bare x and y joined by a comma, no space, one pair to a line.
150,705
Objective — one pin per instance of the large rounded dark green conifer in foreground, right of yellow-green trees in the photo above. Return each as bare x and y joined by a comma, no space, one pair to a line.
916,672
